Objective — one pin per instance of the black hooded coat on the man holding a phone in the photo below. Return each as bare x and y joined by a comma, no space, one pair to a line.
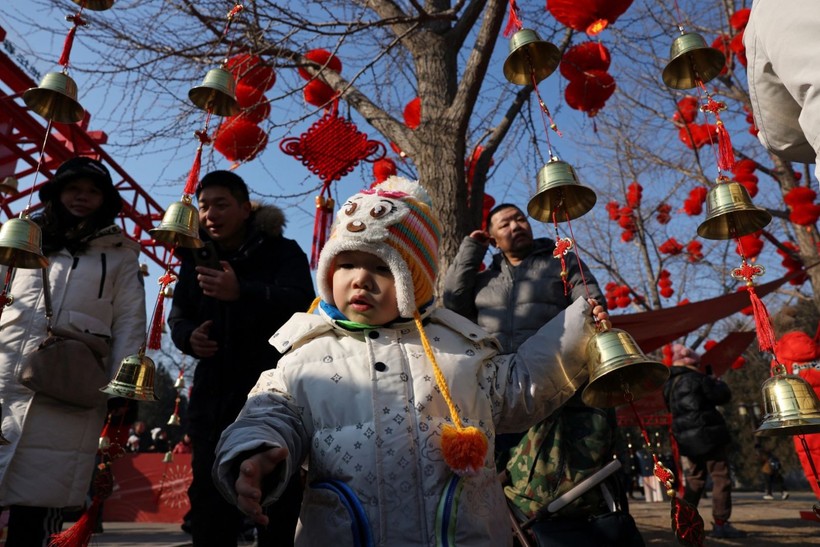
275,282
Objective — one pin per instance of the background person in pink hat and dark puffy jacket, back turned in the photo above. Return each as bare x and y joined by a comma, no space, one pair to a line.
702,435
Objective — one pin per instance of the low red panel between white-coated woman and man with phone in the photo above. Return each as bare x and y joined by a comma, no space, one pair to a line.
146,489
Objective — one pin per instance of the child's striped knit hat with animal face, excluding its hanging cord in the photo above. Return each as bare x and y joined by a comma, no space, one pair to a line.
395,222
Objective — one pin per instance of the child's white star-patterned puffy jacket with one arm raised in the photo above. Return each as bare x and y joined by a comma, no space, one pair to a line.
364,408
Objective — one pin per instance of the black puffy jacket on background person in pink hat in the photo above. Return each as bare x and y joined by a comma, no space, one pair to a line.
692,398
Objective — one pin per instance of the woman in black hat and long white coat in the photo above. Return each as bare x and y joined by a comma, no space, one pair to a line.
96,287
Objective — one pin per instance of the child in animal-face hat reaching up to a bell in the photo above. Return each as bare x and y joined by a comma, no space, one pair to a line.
392,401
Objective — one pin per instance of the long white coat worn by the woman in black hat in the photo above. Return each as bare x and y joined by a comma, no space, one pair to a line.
100,290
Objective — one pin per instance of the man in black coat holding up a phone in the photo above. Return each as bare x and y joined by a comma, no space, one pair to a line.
225,309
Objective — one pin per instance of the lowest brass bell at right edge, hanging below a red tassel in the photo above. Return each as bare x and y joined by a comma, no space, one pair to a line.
791,406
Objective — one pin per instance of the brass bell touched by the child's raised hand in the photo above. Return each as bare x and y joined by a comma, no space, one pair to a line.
618,368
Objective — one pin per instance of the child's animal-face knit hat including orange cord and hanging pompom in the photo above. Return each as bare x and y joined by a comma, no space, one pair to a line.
395,221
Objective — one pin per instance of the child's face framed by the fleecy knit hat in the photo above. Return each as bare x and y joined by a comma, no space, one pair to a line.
364,289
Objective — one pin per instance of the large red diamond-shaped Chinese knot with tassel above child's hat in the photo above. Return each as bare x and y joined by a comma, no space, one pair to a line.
331,148
